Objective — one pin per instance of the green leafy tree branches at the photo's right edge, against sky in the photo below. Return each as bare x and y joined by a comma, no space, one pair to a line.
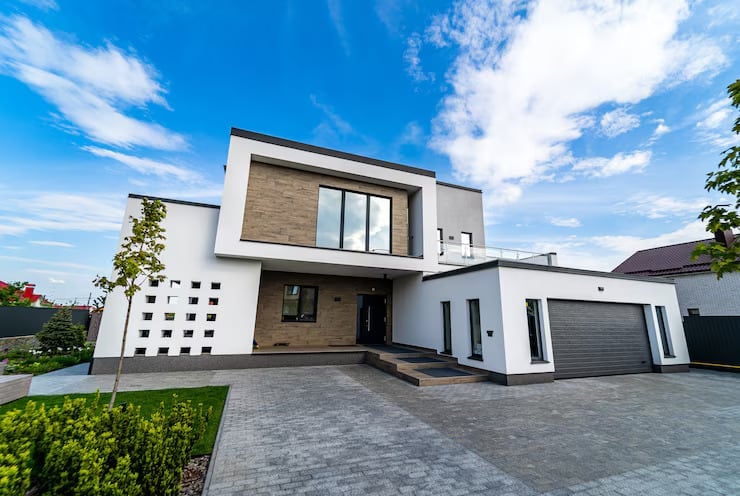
725,217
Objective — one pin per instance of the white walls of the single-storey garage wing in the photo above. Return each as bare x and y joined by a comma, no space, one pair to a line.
502,292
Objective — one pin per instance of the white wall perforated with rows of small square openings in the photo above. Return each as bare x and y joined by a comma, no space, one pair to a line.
188,256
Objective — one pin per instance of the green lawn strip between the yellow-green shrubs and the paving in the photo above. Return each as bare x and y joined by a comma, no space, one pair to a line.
212,396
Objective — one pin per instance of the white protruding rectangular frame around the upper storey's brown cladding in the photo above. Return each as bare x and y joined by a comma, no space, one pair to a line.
241,150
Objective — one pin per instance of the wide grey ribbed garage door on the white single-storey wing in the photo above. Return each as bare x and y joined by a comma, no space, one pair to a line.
591,339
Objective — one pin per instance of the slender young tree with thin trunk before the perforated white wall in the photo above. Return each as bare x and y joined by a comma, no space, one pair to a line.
136,262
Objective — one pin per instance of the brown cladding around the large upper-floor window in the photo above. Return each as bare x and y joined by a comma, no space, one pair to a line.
282,205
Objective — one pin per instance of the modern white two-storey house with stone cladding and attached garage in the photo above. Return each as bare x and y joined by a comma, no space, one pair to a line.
317,249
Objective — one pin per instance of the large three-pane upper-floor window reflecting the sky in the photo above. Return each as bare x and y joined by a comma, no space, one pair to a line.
353,221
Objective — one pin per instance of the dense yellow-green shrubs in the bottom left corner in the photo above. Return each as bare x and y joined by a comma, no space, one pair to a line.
81,448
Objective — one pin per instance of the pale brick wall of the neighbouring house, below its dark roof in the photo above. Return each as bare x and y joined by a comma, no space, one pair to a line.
709,295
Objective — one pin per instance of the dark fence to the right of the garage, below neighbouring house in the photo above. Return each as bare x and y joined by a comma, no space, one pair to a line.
713,340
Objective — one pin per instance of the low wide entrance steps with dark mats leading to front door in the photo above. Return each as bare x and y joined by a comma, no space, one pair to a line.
422,368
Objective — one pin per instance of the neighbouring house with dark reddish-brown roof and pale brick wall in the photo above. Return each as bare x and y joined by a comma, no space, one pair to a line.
698,289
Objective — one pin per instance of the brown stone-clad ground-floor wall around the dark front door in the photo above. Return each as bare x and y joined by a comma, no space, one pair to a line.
336,321
